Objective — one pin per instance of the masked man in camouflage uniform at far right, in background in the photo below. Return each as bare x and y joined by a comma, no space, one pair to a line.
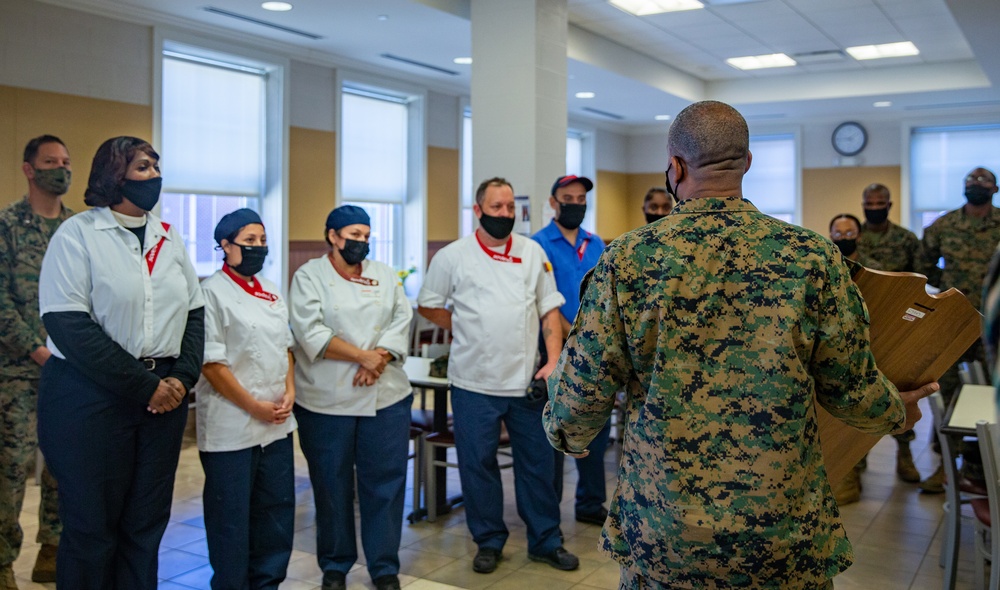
965,238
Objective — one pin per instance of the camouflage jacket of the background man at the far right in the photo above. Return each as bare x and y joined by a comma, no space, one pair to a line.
966,244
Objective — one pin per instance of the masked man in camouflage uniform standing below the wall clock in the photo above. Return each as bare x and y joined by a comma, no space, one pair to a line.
895,249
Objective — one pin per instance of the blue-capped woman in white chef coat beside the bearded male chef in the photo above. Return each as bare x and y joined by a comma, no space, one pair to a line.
351,320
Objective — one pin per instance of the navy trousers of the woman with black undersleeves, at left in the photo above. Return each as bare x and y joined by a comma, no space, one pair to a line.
115,464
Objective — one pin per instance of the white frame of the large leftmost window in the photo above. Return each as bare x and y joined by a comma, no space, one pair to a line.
274,189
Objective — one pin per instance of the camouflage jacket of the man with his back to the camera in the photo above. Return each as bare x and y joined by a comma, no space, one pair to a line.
723,326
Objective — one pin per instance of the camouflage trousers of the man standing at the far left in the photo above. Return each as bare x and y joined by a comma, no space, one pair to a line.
18,416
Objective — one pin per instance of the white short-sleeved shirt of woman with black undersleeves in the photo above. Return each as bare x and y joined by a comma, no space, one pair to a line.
95,265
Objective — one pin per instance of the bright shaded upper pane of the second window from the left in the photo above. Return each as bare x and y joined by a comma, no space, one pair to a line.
374,149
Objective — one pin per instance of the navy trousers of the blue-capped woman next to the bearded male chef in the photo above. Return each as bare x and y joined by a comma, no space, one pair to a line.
376,448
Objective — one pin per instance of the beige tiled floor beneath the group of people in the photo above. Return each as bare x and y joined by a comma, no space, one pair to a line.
896,534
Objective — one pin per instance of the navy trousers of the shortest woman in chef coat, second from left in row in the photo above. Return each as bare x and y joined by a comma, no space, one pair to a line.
249,503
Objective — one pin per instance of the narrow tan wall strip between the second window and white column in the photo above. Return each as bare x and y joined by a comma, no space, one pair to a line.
442,194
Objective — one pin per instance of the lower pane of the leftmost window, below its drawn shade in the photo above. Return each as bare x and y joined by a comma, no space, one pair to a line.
195,217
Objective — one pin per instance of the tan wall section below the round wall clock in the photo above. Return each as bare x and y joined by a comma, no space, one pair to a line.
827,192
